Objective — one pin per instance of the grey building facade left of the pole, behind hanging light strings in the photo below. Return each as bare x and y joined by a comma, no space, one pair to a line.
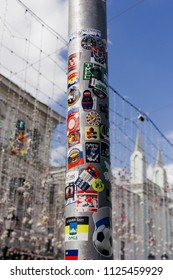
27,224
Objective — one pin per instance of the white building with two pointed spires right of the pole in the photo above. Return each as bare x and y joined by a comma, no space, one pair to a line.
142,211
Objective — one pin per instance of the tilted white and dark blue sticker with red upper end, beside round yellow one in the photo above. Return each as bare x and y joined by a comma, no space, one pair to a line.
87,177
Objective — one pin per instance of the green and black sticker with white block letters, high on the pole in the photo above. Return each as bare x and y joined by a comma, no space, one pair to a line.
92,70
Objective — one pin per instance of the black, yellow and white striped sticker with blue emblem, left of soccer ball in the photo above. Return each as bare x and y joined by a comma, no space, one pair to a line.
76,229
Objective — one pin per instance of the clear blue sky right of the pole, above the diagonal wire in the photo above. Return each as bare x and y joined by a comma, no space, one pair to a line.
141,56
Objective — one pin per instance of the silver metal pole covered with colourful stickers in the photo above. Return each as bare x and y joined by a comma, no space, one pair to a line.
88,222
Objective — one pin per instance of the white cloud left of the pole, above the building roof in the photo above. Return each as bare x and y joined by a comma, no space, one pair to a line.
30,53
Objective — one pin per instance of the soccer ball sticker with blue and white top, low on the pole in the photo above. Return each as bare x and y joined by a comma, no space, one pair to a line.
102,236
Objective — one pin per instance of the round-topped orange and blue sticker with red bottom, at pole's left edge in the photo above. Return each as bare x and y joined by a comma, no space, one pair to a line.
75,158
